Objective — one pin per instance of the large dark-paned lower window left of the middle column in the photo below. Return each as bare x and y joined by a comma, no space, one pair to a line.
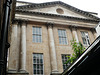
38,64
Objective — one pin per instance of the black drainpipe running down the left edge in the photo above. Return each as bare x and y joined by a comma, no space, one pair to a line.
4,45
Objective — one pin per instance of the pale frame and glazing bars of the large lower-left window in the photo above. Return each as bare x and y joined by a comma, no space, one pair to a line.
38,64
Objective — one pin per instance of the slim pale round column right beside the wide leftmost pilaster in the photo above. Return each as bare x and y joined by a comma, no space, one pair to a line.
23,46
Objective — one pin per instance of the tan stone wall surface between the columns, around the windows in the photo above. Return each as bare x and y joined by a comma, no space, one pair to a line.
44,47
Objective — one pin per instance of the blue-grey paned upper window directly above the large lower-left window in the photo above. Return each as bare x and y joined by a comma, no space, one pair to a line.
37,34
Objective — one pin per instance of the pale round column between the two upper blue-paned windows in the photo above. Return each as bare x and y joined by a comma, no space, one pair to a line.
52,50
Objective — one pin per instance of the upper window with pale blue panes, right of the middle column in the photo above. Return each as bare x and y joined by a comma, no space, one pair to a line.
63,37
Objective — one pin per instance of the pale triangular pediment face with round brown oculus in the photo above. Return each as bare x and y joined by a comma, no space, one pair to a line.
58,10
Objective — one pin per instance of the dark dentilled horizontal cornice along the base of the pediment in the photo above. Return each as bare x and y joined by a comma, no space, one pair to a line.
54,15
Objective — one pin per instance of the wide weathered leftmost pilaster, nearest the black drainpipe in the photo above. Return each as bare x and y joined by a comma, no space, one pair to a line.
13,56
